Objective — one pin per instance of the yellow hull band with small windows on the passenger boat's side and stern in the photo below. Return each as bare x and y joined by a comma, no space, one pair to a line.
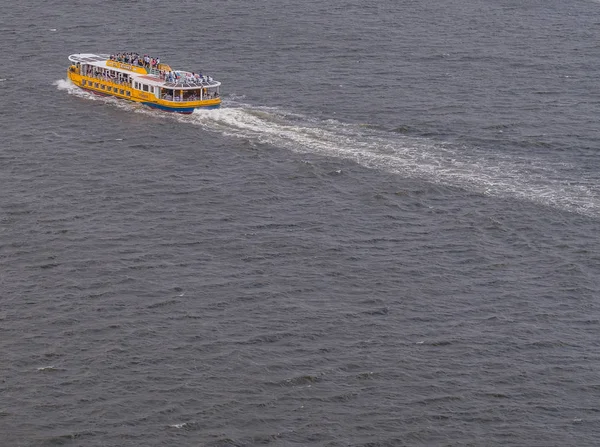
124,91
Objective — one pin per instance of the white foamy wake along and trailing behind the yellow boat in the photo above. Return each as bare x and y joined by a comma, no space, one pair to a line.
478,170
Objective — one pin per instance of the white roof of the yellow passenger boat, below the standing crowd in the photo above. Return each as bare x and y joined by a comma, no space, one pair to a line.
140,73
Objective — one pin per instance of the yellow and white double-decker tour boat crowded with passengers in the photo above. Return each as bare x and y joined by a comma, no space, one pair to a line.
144,79
